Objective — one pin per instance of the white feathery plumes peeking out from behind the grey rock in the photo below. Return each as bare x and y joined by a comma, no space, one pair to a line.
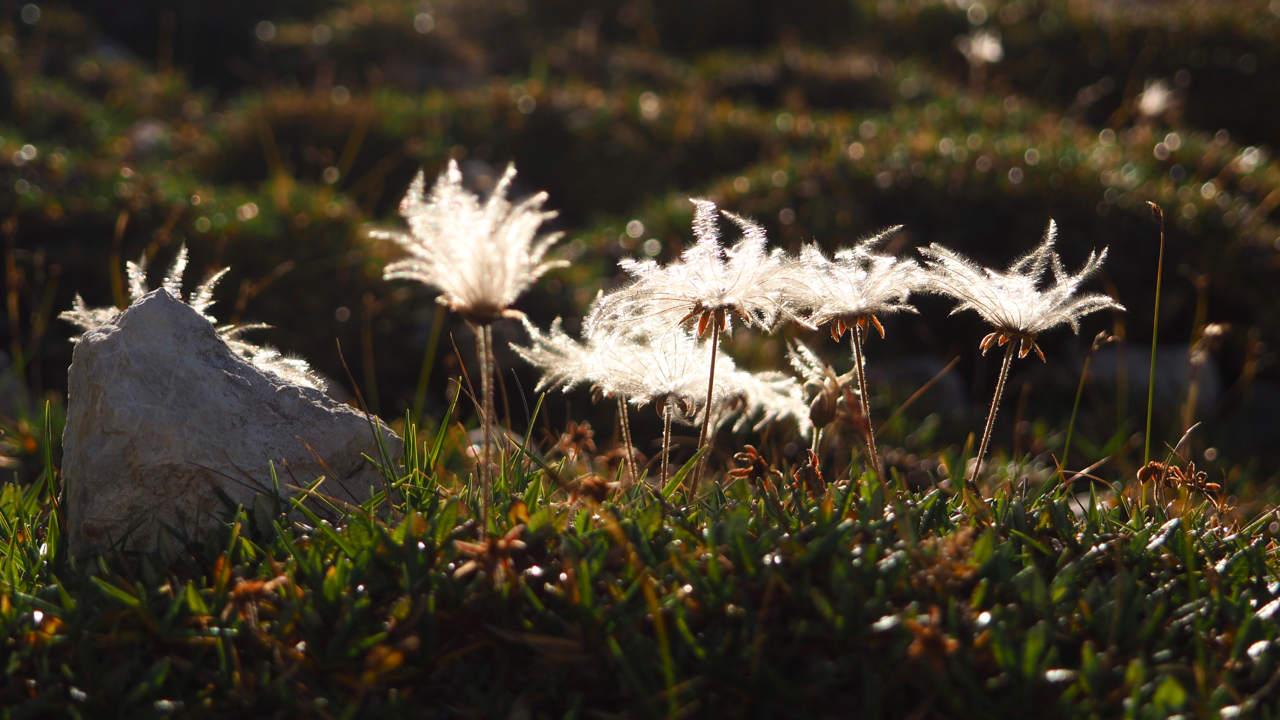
294,371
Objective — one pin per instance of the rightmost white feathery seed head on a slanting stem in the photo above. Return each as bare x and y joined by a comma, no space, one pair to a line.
1013,302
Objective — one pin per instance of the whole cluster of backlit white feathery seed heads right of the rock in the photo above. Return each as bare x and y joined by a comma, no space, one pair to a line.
656,340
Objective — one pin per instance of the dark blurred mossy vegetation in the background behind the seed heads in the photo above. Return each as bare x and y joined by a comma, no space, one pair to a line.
271,135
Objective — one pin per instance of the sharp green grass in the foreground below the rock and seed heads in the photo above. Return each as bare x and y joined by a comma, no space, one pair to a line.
756,603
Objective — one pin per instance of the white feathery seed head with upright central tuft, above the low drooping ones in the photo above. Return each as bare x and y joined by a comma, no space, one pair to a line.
710,285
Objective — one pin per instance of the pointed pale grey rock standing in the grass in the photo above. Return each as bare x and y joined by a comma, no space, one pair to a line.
161,412
